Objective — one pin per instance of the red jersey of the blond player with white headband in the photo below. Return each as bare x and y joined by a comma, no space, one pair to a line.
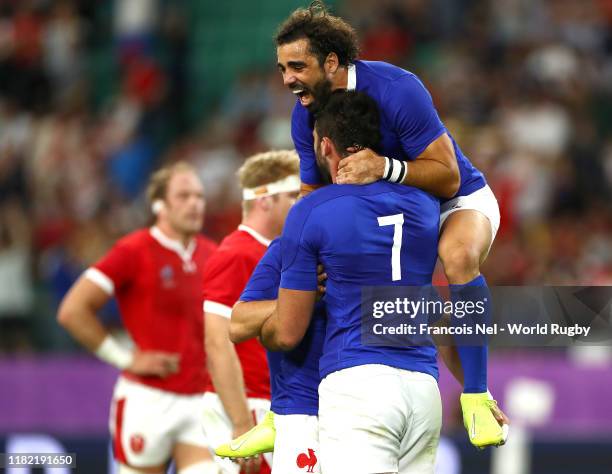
226,274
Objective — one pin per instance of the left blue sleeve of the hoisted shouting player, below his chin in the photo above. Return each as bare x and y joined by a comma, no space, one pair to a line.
301,133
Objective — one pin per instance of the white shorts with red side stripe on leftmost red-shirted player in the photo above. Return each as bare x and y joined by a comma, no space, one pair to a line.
146,423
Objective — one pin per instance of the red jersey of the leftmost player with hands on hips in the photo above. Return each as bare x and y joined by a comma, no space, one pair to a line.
158,285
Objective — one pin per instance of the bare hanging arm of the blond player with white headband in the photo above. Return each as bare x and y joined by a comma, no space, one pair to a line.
226,372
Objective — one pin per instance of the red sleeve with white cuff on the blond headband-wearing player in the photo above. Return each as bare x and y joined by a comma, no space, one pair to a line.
225,276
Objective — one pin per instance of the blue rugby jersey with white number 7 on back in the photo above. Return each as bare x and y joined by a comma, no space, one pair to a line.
350,230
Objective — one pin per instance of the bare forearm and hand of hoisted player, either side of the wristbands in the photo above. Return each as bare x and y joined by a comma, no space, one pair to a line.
435,170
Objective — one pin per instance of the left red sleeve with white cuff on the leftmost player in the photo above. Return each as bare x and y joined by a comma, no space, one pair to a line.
116,269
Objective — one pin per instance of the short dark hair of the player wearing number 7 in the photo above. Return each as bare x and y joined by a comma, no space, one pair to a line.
350,119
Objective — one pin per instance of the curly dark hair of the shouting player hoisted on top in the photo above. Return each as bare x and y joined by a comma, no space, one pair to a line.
325,33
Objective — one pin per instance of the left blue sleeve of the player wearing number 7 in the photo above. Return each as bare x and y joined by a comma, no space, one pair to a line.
299,249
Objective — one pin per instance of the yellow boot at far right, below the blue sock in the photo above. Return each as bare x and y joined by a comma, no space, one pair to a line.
485,423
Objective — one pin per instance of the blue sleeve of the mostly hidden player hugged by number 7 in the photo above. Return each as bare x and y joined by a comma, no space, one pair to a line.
263,284
